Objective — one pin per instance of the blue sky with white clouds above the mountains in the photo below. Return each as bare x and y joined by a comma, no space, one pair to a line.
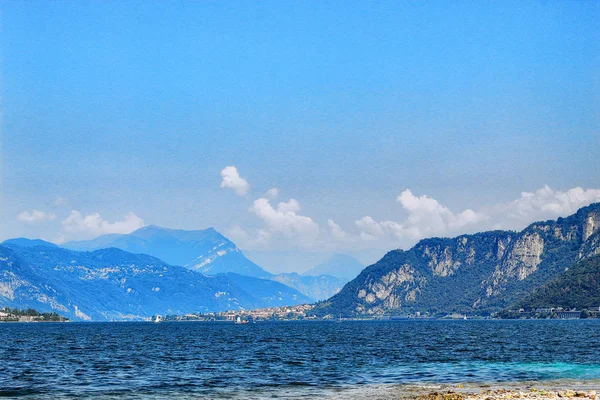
297,126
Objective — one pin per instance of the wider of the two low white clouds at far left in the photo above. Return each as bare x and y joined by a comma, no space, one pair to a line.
93,225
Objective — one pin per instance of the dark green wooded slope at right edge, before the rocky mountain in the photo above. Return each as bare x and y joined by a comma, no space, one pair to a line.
578,287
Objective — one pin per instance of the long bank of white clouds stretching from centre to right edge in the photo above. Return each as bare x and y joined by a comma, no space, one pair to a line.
283,226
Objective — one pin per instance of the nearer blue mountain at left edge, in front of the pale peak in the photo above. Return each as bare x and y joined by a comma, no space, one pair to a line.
114,284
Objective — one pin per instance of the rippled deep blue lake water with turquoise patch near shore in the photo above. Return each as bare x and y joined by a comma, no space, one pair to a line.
286,359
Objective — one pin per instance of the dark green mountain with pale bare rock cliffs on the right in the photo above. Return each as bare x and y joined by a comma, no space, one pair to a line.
476,274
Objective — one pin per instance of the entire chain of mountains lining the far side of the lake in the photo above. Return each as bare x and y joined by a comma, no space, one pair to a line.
472,274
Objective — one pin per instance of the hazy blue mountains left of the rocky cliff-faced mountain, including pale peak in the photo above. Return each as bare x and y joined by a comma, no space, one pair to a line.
214,276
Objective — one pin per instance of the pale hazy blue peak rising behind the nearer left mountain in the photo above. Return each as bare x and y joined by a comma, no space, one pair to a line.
205,251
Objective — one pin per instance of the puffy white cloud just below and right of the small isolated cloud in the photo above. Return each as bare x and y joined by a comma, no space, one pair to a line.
283,221
